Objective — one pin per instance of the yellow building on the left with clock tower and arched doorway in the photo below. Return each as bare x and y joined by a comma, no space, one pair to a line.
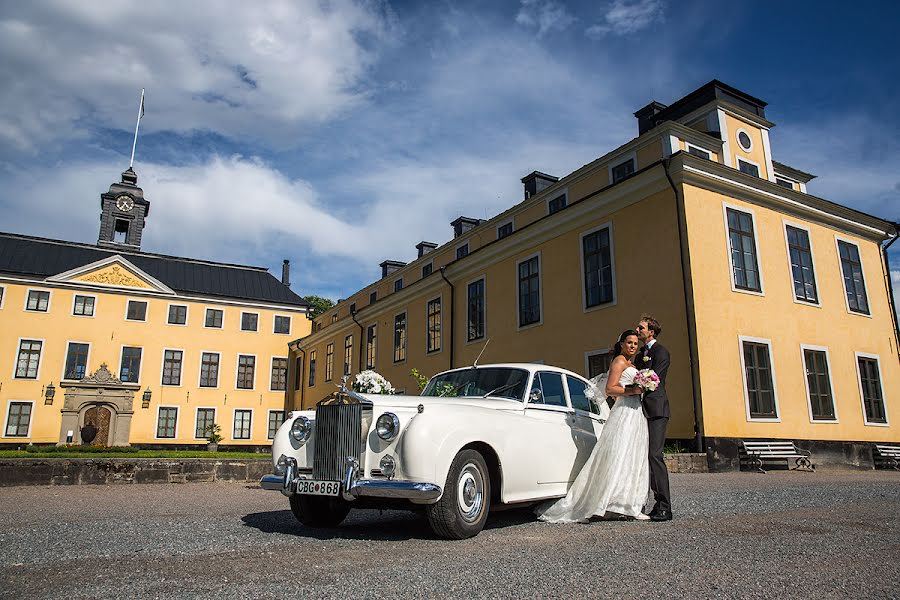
148,349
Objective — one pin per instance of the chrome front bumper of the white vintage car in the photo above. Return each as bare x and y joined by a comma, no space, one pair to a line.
353,487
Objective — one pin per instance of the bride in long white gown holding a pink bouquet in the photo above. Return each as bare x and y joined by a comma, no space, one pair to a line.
616,476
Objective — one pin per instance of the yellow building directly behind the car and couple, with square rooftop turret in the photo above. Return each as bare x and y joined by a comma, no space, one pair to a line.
775,304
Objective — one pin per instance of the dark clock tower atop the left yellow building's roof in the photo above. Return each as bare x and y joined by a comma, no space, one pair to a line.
122,213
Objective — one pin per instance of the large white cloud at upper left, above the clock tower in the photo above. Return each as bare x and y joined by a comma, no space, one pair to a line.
239,68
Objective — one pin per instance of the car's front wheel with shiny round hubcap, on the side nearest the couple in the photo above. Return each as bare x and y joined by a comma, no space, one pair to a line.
462,510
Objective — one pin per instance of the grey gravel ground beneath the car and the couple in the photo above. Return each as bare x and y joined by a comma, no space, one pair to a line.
779,535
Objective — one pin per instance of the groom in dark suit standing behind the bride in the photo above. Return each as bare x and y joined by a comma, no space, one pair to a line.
654,355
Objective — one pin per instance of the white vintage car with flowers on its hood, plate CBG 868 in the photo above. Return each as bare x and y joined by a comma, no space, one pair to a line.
477,437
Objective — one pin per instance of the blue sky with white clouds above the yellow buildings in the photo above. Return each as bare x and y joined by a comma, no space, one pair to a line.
340,134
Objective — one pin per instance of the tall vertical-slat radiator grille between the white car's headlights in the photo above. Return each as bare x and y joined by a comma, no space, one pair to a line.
339,434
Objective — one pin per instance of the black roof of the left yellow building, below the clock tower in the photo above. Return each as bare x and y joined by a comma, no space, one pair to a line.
41,257
